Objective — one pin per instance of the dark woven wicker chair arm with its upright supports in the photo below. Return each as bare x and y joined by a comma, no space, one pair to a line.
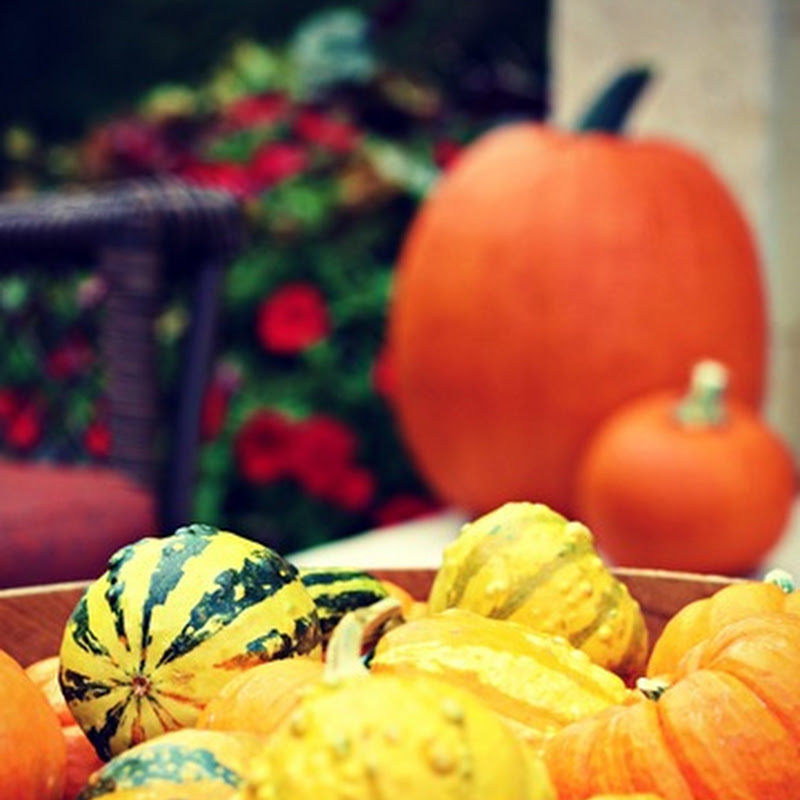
140,235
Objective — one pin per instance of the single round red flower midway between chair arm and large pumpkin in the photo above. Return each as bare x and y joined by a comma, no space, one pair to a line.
292,318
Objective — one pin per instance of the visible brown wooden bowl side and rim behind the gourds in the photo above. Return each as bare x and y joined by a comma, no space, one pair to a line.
32,619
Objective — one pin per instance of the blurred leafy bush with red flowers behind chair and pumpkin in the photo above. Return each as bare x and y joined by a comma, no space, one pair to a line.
330,134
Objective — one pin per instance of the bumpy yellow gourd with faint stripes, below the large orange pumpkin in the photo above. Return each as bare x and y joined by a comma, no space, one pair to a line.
527,563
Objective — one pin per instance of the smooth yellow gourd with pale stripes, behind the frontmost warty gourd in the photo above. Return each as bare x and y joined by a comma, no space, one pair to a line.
538,682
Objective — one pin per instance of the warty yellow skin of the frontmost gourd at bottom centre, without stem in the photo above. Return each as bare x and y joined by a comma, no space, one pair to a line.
381,736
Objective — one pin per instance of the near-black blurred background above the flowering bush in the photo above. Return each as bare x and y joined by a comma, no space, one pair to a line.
66,64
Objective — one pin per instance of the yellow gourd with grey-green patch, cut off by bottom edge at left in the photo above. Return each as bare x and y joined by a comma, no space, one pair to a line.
199,763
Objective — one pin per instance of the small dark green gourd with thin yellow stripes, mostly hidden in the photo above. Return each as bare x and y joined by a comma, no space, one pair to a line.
337,590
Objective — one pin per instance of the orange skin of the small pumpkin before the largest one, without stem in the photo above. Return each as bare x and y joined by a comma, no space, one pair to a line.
705,499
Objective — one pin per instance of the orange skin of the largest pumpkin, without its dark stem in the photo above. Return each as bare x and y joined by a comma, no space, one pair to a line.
548,278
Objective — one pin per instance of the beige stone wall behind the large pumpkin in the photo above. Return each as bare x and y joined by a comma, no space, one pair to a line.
727,85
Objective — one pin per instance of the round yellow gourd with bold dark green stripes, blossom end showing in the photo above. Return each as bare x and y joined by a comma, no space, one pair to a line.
169,623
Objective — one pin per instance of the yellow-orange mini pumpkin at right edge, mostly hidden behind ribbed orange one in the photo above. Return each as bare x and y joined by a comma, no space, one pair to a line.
702,618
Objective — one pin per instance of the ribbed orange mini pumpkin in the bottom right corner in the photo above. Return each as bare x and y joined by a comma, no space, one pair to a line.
728,726
